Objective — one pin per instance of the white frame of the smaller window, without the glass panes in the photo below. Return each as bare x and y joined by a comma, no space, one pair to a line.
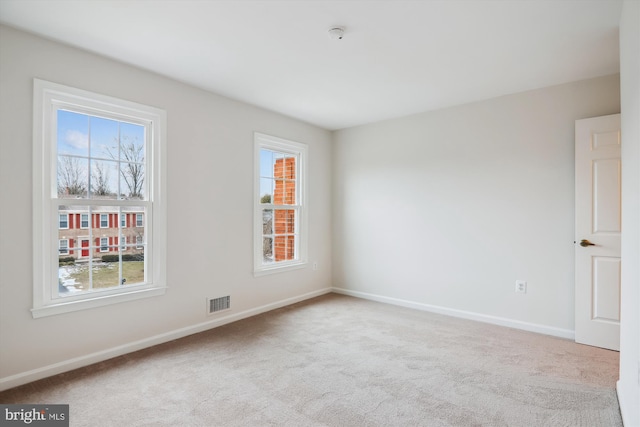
299,150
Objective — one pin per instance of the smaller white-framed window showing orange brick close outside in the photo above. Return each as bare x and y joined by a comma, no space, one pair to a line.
280,214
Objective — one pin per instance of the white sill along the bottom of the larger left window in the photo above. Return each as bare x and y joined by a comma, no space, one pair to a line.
98,301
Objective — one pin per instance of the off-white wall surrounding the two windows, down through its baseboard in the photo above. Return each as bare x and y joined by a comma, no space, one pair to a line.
210,188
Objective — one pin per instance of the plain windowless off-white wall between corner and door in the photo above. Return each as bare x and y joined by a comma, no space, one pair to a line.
445,210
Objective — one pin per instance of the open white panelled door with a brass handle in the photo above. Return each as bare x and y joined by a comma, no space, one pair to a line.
598,228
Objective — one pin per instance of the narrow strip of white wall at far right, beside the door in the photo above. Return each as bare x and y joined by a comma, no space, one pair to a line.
629,384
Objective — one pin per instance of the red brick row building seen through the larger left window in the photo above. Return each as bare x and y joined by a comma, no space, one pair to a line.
76,241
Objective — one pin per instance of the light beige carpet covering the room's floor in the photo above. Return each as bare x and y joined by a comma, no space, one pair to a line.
342,361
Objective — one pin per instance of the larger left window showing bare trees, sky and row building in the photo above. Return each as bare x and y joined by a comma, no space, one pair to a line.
96,159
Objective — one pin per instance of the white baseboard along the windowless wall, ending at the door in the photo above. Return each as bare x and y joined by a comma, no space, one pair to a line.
501,321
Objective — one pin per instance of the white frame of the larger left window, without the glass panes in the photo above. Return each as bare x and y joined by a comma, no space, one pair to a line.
48,97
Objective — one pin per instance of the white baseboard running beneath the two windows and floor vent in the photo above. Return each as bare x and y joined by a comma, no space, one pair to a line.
81,361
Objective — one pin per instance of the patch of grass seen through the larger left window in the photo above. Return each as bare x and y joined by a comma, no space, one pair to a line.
106,275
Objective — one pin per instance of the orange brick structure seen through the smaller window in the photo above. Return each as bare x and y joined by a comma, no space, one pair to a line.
284,173
